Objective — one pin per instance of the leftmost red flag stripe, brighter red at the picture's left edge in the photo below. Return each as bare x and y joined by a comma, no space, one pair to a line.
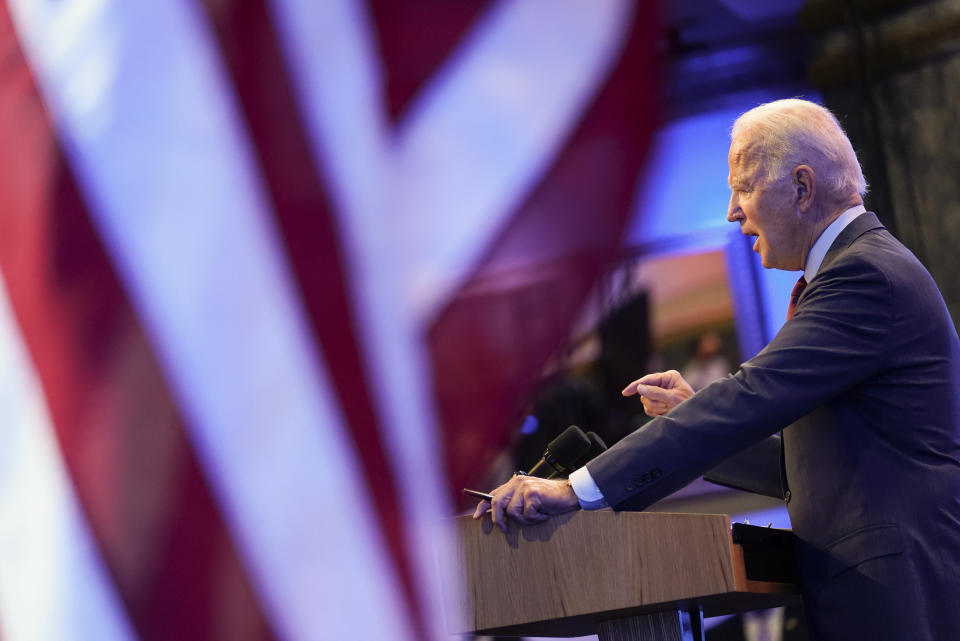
119,431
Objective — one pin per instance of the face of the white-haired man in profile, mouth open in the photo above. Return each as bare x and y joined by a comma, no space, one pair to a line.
766,210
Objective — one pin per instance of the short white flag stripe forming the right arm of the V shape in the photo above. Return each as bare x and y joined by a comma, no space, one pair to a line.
488,125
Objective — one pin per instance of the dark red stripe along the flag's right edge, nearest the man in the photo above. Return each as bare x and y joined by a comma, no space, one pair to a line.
561,237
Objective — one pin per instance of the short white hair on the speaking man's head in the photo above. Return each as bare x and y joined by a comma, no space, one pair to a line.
791,132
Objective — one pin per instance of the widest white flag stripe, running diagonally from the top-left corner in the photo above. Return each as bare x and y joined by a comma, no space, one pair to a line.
180,208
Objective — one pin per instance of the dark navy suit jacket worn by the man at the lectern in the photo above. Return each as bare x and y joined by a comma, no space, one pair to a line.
864,381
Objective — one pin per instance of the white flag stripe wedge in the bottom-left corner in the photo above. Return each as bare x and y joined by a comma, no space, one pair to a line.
53,584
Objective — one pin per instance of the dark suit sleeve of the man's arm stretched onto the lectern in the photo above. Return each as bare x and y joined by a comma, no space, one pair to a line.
835,340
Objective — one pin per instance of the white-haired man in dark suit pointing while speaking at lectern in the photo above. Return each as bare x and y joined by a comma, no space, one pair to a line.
863,380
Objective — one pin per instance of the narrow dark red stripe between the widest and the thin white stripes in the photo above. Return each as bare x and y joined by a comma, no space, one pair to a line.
304,216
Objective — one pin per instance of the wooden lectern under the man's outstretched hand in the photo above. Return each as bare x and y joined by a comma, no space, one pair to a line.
621,575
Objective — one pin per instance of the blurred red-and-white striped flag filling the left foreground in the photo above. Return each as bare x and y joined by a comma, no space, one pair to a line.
276,276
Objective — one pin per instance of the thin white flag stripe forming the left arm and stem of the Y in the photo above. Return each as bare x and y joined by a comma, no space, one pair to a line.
331,52
